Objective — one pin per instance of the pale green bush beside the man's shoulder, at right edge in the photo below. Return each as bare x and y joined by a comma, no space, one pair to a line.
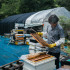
65,22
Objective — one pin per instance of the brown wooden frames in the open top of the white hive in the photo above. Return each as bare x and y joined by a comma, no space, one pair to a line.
36,57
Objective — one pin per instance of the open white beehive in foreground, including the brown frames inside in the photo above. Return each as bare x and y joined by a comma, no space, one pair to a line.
40,62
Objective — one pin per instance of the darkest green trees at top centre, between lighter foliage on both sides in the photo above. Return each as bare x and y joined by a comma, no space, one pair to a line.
35,5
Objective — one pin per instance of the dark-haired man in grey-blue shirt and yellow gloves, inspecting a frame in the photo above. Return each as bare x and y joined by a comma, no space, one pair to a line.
55,36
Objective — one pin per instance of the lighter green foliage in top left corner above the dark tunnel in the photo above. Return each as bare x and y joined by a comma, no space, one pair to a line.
9,7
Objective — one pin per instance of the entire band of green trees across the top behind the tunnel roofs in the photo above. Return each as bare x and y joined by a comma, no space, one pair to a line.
13,7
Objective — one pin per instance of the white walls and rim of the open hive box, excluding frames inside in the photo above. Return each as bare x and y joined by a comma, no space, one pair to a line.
47,64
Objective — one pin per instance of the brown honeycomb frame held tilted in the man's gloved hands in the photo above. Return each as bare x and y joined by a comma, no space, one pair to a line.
39,39
